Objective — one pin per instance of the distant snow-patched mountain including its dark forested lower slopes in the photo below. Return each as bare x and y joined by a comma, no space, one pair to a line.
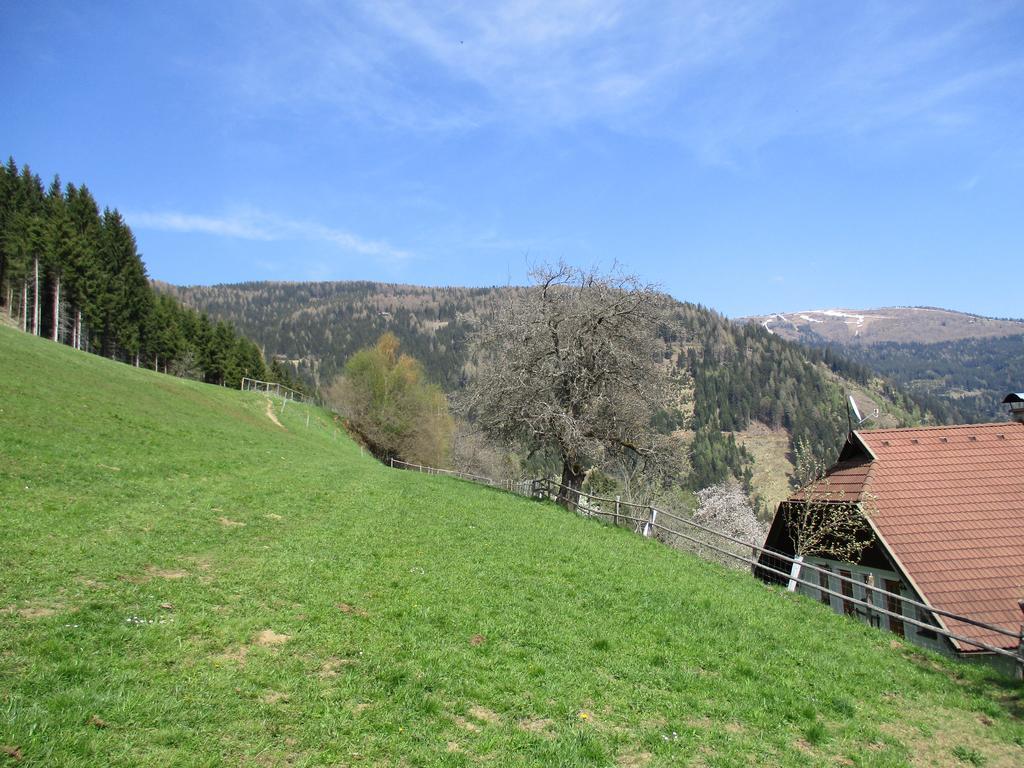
958,366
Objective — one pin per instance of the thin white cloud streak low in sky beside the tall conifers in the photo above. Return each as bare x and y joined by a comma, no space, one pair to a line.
262,227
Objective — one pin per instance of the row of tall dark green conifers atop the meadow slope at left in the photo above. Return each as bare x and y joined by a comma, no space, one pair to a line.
74,275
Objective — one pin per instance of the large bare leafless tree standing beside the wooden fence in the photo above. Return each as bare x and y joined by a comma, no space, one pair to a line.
572,366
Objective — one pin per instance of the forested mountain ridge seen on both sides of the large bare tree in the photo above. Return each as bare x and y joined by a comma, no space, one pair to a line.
729,377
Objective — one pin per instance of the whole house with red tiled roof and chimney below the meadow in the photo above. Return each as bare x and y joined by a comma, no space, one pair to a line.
946,506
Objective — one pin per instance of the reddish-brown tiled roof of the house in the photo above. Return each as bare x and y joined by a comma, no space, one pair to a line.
949,503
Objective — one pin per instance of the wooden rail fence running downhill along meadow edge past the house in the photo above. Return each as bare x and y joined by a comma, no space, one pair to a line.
870,602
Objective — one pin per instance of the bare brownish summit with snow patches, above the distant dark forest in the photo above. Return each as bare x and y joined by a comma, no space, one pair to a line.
900,325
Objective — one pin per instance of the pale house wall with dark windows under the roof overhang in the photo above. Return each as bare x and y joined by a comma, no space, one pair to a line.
917,635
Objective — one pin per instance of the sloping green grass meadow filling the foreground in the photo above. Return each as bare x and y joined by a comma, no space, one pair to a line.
187,583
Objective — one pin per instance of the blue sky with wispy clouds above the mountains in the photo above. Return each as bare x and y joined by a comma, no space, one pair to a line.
752,157
